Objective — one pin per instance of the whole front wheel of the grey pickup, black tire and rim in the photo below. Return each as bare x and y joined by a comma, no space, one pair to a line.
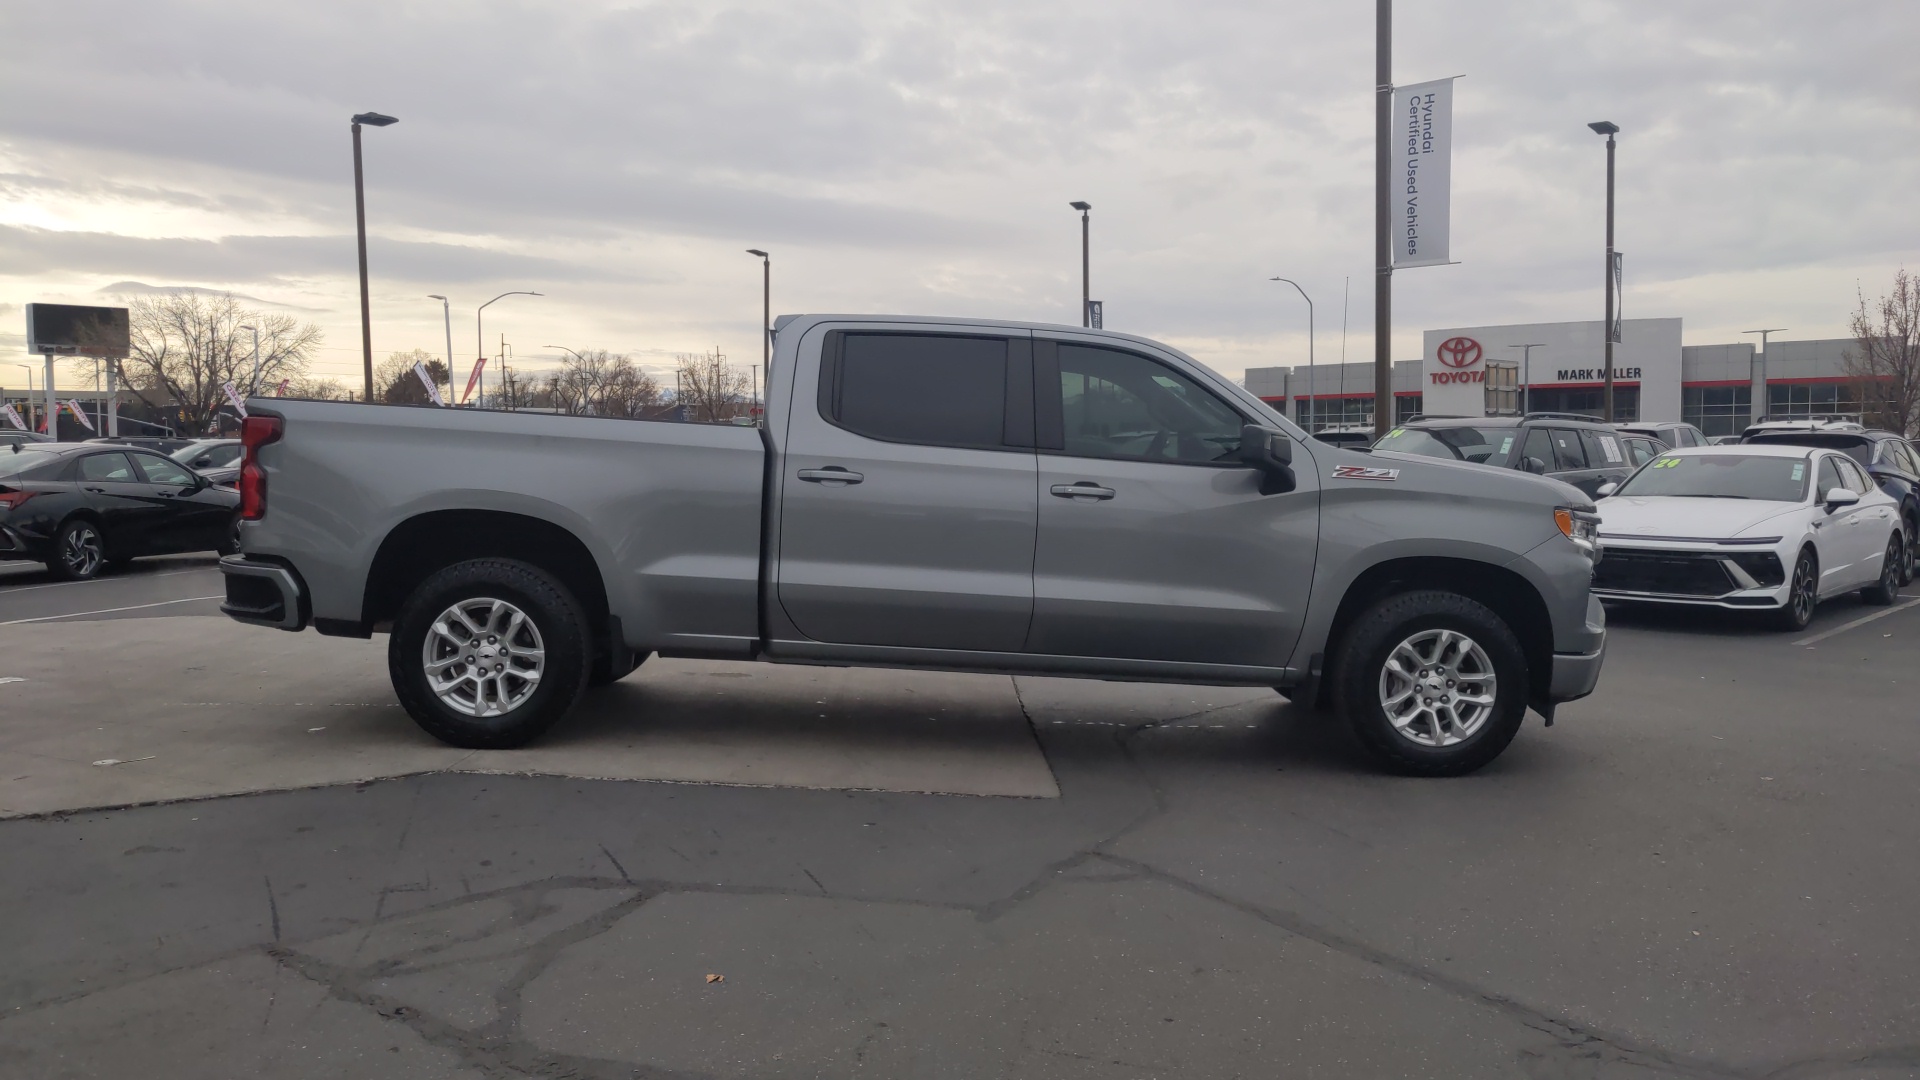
1433,683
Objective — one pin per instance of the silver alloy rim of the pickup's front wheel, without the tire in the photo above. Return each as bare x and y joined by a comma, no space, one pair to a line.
1439,687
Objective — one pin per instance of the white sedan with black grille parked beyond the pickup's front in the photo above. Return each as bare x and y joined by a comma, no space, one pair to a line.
1758,528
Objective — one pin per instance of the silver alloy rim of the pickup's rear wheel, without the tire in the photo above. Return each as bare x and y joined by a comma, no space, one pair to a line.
483,658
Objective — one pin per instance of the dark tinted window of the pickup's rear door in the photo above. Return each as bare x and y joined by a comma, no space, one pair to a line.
930,389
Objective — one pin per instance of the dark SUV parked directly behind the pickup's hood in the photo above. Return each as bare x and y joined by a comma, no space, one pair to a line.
1568,447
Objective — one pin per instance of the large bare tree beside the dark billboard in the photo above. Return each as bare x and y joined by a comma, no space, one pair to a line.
189,345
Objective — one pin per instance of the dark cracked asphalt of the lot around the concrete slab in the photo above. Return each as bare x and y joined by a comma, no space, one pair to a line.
1706,870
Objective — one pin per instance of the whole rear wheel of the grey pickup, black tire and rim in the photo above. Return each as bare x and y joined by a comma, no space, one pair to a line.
489,654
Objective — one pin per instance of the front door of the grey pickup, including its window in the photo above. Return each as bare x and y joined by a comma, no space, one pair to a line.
1155,541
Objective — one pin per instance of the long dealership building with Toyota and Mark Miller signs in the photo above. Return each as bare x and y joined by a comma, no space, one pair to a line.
1470,372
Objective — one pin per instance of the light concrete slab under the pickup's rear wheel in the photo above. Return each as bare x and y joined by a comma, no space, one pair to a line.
195,708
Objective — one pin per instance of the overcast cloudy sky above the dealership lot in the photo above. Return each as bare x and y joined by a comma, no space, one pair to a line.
919,159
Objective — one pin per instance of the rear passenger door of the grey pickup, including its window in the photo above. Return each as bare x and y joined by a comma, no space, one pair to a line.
909,491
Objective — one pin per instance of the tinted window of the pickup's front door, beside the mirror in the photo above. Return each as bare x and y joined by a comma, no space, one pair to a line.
1120,405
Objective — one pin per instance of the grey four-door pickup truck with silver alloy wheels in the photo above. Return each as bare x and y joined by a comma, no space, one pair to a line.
928,495
